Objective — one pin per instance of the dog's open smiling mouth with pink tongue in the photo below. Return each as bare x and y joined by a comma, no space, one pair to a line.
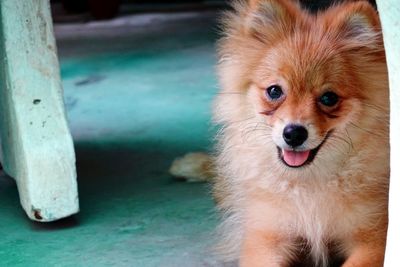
296,159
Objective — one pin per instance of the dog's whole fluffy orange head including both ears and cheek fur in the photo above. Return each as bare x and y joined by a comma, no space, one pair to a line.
307,78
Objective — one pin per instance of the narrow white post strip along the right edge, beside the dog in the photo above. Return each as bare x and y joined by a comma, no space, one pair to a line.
389,11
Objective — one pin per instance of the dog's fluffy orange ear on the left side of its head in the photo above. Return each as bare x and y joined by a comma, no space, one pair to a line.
265,17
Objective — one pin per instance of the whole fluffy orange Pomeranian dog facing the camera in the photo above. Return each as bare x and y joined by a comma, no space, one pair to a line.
303,160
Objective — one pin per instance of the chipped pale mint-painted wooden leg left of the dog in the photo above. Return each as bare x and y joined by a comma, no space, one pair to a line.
37,148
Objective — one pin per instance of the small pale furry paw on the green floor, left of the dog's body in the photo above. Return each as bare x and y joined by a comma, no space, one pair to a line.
193,167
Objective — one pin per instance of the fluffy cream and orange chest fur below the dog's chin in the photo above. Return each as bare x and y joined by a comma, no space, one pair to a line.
320,207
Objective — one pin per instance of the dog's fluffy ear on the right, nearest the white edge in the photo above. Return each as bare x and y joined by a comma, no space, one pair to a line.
357,22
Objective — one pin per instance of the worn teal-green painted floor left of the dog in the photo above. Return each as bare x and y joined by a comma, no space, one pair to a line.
138,94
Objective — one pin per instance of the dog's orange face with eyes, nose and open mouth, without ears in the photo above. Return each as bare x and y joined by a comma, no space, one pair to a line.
304,96
